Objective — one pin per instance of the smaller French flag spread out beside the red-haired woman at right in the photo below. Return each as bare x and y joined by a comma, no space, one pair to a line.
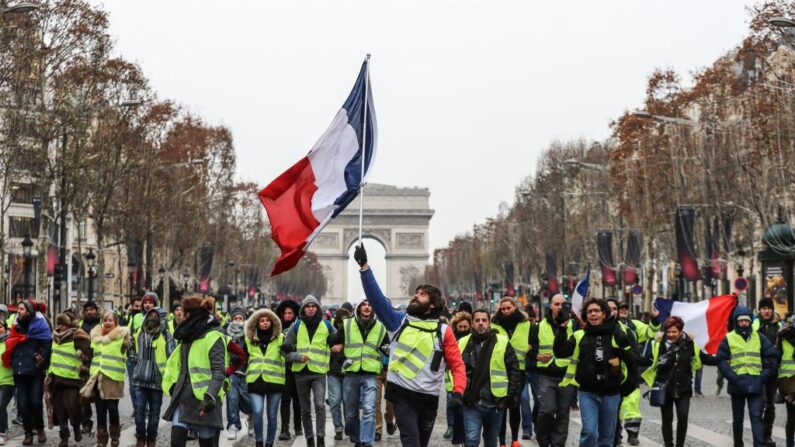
706,320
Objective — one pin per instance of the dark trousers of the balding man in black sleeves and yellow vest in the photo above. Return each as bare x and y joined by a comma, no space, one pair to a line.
554,406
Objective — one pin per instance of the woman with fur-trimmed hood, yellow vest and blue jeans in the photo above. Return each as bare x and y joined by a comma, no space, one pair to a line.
265,375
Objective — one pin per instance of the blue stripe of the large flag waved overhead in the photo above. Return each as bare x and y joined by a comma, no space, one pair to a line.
354,106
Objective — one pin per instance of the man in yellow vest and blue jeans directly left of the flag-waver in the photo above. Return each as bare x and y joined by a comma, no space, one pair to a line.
362,336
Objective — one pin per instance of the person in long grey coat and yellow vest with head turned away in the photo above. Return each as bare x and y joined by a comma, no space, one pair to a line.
195,375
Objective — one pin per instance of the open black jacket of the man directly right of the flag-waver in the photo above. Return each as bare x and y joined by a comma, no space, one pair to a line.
477,360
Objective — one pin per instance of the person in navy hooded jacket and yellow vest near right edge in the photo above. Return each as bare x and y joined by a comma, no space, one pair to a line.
747,360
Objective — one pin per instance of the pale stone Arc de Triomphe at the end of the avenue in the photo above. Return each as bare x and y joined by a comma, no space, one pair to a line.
396,217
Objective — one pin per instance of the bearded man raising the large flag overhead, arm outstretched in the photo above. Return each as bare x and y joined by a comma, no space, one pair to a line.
420,349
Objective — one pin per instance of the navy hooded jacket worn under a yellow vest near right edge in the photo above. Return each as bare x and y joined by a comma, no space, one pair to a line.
746,384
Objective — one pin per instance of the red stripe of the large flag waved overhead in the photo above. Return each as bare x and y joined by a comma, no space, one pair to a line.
288,202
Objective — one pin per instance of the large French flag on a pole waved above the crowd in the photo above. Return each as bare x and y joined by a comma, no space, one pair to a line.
302,200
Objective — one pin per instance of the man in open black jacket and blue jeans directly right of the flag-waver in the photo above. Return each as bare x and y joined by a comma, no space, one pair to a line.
494,380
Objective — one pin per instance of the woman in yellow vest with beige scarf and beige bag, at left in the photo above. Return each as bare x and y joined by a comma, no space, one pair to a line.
109,343
